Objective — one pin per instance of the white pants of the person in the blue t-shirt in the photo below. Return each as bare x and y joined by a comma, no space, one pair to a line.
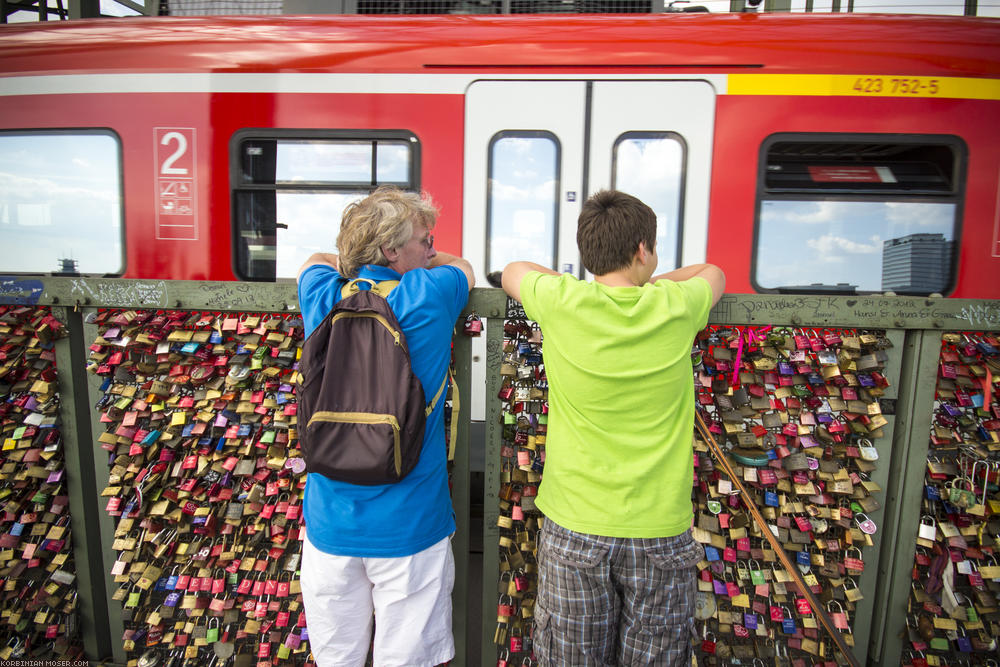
409,596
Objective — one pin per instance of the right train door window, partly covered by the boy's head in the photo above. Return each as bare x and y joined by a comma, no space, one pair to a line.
650,166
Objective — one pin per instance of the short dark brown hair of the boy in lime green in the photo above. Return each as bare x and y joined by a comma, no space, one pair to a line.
610,228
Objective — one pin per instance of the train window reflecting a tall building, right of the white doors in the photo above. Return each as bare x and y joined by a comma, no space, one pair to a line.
858,214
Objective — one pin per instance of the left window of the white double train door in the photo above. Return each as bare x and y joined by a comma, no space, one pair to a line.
522,198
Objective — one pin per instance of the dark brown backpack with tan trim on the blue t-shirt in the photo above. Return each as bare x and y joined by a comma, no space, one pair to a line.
361,404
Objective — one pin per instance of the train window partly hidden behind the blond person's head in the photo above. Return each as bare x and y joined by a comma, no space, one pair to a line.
291,188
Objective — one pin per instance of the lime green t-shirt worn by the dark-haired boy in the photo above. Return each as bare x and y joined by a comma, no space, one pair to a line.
618,452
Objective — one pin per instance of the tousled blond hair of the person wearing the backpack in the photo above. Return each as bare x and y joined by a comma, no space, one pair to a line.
386,218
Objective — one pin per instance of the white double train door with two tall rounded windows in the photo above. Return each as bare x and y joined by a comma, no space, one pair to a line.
534,150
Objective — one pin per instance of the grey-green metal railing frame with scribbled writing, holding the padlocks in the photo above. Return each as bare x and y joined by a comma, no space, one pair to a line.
913,325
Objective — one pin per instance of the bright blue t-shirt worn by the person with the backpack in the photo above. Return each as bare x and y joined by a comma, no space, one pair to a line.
400,519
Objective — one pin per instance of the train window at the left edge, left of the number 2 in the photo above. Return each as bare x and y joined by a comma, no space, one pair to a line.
61,202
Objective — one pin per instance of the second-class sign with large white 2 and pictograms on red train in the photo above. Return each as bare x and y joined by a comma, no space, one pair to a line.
176,178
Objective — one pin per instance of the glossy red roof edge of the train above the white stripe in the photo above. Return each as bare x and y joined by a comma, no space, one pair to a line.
888,44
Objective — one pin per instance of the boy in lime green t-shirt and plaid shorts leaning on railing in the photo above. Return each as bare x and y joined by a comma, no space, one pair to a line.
616,558
